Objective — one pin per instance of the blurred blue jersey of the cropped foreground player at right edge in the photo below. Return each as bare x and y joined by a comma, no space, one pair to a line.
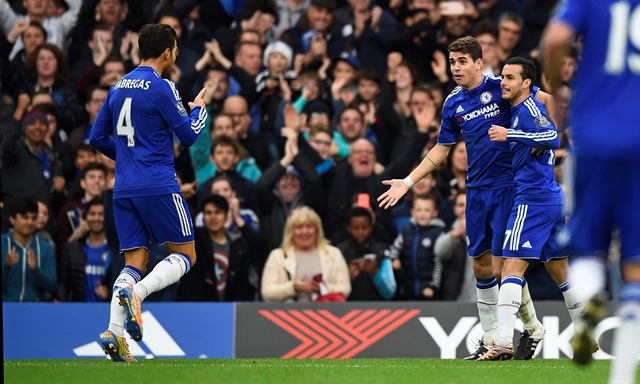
605,104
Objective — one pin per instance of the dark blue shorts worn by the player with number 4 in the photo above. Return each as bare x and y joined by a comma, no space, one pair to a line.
147,220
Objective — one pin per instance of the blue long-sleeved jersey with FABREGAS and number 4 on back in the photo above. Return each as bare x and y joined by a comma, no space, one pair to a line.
143,111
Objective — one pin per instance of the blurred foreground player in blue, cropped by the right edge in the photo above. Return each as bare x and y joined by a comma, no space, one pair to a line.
606,182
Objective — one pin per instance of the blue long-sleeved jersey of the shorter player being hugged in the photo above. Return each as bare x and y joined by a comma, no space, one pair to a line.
531,127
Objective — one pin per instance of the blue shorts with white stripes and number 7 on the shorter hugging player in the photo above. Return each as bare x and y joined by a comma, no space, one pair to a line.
532,230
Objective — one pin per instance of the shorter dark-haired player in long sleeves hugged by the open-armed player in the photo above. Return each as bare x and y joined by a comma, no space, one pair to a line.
537,216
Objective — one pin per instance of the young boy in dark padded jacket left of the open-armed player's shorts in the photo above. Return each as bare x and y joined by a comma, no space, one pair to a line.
413,253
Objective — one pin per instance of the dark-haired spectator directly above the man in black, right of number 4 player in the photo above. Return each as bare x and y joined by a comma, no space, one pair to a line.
225,153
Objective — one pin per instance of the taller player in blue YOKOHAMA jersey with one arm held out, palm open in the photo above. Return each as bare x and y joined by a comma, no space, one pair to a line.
471,108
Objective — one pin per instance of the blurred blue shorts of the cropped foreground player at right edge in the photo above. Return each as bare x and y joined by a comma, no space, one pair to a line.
605,196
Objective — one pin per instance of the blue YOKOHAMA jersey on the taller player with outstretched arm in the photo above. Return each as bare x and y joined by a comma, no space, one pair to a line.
473,112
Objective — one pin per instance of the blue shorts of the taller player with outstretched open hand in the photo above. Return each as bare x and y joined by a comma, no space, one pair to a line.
487,214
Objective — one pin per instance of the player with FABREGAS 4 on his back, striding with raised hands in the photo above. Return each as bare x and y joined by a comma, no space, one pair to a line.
144,111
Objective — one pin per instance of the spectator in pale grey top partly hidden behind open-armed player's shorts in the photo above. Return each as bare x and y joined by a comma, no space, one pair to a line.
458,281
